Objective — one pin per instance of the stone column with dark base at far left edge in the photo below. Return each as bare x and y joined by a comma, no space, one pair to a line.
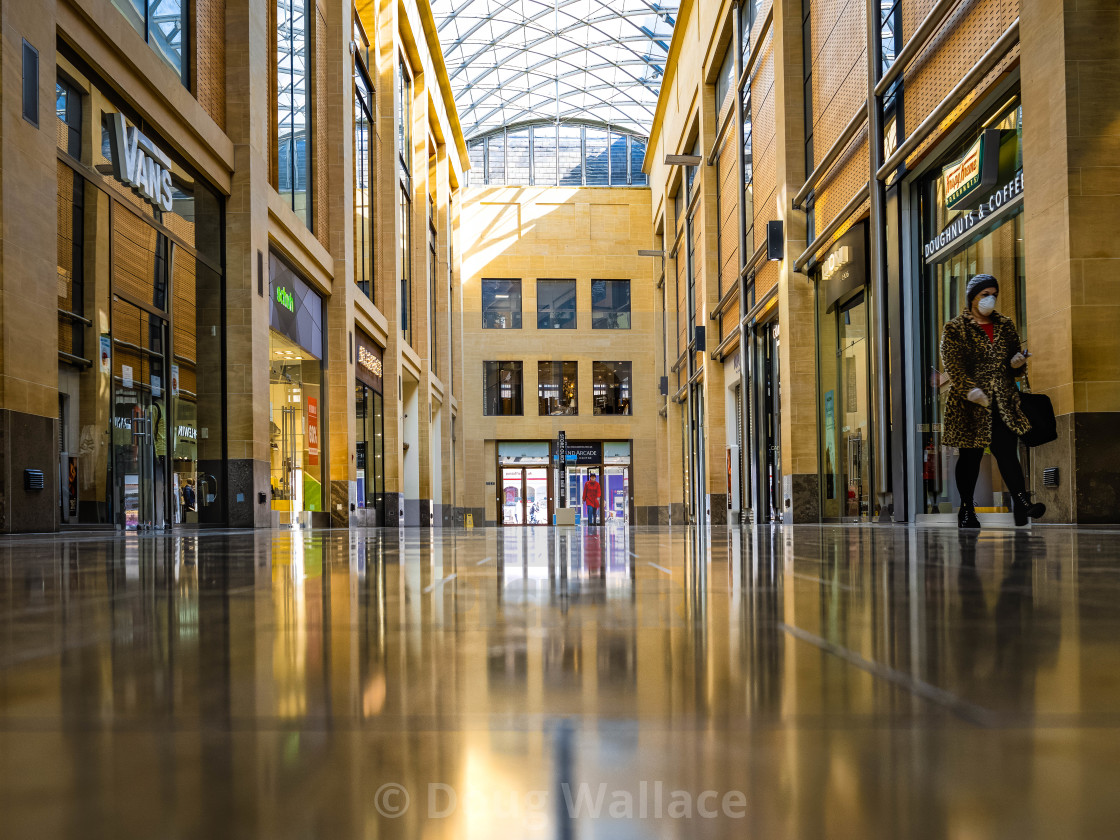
29,276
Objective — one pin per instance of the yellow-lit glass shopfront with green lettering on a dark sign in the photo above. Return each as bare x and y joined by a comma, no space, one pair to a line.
296,408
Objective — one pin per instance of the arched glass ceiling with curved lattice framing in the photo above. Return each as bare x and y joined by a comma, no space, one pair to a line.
516,61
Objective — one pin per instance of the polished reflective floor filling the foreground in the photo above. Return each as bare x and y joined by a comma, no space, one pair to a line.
799,683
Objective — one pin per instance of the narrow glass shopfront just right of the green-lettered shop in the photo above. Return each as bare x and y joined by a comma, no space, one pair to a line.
369,406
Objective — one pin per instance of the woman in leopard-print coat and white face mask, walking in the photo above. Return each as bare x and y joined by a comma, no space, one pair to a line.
983,356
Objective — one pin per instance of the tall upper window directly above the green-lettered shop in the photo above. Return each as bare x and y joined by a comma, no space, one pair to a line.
294,107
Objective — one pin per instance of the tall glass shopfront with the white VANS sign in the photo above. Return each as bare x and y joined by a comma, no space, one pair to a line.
141,335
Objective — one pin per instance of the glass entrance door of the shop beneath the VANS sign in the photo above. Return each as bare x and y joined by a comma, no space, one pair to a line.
139,418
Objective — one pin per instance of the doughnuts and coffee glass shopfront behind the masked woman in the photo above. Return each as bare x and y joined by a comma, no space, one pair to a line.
972,223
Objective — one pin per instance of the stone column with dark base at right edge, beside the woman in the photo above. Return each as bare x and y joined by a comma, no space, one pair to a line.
1071,139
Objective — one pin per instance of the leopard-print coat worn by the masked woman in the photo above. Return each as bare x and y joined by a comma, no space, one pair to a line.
973,361
